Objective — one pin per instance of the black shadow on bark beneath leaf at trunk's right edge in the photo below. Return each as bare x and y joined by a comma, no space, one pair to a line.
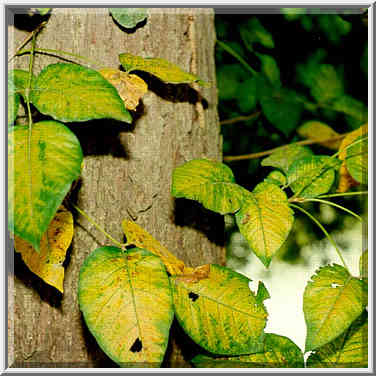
193,214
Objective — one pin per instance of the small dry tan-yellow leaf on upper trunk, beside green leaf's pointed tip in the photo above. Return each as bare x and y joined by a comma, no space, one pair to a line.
130,87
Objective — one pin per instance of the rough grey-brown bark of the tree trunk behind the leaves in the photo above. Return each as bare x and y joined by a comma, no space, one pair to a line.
127,174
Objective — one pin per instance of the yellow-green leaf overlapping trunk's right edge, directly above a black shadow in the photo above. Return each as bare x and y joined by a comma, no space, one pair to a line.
210,183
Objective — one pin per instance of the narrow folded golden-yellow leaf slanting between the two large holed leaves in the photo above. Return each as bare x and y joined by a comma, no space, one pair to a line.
140,238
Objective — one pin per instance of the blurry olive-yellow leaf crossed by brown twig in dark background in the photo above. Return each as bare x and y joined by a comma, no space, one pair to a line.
316,130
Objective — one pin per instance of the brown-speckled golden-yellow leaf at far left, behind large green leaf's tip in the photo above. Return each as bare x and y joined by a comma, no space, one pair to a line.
48,264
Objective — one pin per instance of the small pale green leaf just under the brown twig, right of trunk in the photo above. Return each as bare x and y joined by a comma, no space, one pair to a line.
285,156
